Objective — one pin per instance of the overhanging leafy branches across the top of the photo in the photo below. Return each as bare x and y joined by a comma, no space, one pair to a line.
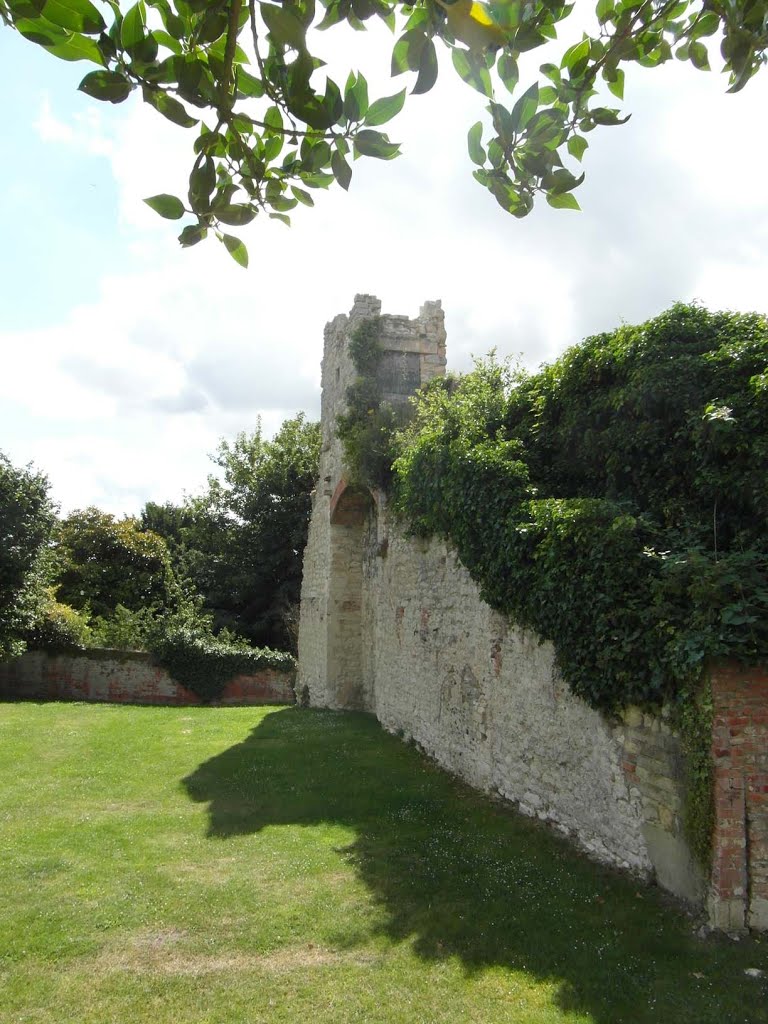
269,135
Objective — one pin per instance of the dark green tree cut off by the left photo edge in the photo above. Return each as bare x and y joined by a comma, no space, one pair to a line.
27,518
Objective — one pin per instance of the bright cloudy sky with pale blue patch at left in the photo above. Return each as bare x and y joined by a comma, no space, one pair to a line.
124,360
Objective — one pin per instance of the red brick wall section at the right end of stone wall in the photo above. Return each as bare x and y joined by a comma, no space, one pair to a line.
740,872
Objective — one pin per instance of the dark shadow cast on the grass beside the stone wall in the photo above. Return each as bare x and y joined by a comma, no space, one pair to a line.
460,876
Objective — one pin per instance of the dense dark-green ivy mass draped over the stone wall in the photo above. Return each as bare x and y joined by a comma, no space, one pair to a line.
616,502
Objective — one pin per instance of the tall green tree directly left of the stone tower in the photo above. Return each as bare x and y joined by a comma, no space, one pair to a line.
242,542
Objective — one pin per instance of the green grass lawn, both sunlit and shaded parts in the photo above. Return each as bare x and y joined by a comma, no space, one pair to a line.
174,866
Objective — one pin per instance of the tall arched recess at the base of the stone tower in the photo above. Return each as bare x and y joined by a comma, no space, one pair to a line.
351,507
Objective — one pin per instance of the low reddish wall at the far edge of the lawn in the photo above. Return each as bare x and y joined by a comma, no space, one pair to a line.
126,677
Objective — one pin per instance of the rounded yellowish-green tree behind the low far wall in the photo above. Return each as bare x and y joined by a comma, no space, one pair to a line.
105,563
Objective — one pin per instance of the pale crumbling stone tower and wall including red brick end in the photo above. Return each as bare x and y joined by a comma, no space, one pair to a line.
396,627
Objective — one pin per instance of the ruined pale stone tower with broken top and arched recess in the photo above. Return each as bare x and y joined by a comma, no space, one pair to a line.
333,669
